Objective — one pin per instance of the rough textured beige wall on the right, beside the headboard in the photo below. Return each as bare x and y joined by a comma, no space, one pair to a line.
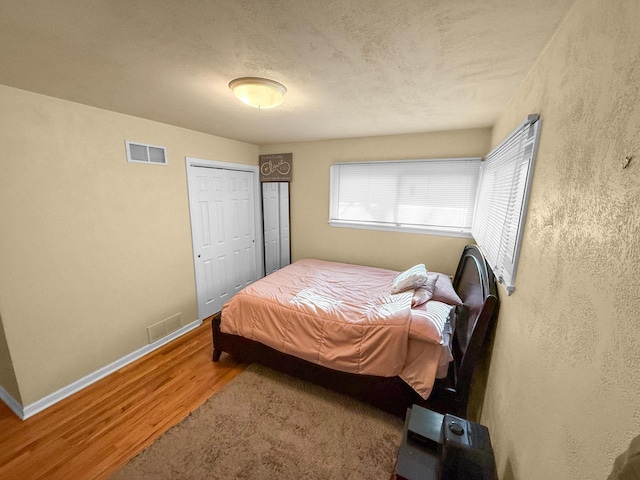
563,394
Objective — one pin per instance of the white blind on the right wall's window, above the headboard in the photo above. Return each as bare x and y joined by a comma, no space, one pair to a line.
503,194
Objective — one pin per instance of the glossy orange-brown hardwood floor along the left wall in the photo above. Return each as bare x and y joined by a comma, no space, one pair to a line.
92,433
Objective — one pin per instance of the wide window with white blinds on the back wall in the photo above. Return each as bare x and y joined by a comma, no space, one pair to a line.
425,196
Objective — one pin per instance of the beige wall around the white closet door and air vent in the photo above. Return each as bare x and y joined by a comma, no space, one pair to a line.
93,249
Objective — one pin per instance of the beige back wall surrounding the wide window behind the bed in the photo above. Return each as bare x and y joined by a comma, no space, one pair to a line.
311,235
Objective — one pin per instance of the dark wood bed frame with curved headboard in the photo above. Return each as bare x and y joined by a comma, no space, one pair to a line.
476,286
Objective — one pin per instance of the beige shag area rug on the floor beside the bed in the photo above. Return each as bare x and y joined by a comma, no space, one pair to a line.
266,425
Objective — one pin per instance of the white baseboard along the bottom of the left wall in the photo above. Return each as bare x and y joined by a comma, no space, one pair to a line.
55,397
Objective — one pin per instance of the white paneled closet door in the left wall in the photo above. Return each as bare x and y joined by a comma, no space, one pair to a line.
224,235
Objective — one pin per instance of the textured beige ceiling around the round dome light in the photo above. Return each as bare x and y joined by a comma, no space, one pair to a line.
352,68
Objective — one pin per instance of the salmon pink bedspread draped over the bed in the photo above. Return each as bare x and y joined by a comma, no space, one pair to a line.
337,315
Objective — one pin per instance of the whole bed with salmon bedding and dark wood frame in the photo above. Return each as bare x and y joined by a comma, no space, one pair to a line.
359,355
